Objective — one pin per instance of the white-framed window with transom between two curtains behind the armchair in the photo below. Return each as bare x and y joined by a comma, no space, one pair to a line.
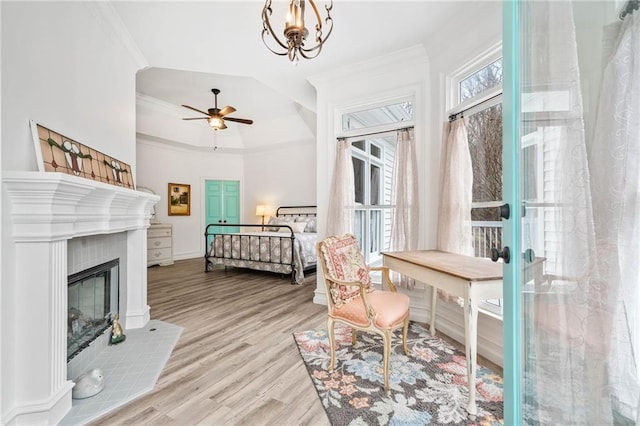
373,156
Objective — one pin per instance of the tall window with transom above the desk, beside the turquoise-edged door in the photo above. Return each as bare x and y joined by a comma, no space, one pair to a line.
479,92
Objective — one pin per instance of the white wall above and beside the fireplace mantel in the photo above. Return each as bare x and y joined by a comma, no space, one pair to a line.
64,67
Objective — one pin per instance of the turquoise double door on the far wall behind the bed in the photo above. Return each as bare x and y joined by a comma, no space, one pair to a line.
222,205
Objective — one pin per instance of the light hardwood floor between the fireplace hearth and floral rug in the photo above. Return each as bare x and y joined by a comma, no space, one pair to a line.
236,361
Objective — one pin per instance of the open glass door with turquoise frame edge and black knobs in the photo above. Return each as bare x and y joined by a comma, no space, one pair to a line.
570,310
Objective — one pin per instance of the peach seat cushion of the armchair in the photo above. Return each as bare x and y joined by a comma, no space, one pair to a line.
391,309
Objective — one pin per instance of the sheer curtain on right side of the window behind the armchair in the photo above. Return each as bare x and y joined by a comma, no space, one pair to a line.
404,226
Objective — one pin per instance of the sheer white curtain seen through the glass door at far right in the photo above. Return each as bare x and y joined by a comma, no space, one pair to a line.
576,325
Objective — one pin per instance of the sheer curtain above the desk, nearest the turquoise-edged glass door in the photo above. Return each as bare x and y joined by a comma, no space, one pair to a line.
454,212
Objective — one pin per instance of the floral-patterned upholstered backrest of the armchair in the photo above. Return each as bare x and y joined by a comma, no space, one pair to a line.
344,261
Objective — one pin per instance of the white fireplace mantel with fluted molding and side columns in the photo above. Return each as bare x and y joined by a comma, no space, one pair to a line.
45,211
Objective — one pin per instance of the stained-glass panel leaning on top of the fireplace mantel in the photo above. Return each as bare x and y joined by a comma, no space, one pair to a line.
56,152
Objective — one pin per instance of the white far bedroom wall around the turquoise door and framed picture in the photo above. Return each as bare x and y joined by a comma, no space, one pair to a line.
282,175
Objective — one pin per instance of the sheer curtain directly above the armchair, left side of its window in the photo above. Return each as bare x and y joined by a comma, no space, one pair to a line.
342,192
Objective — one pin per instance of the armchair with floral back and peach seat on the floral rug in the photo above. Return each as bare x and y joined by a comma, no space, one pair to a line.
353,300
